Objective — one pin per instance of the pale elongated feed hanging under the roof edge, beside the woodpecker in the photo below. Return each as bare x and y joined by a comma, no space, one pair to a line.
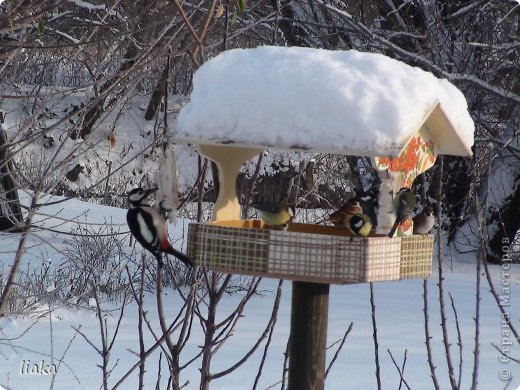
167,196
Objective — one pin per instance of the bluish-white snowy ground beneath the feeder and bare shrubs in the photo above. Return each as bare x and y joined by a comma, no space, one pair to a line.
25,341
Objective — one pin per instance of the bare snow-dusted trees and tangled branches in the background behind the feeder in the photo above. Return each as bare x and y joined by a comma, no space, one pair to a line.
107,53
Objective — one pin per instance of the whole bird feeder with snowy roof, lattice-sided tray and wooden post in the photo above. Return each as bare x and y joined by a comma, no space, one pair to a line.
247,100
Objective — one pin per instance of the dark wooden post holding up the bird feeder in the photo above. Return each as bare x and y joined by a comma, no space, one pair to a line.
308,340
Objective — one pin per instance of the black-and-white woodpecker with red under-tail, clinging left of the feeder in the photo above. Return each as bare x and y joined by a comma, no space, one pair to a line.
147,226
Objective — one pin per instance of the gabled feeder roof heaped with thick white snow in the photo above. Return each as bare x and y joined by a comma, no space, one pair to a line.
346,102
